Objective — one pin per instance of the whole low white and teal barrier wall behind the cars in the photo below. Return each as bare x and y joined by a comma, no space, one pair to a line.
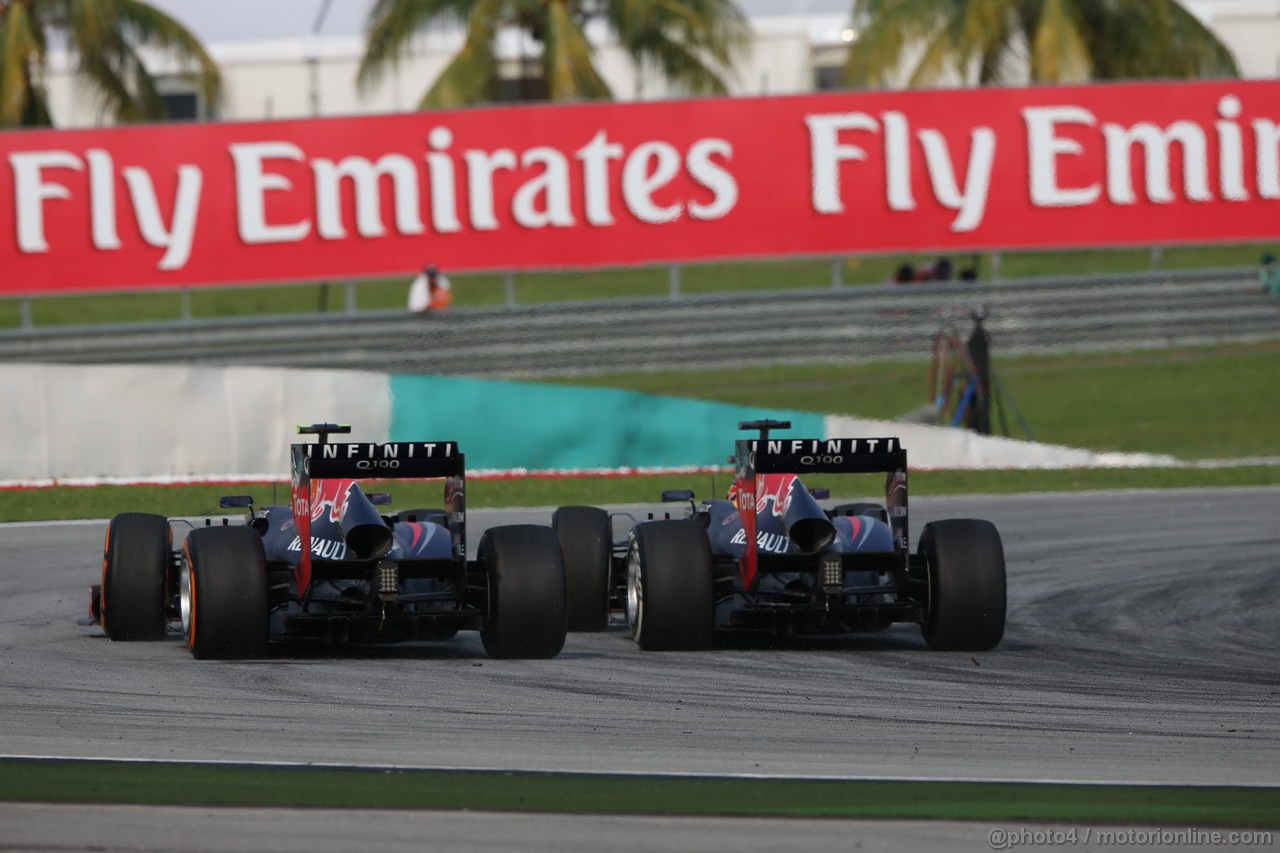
67,425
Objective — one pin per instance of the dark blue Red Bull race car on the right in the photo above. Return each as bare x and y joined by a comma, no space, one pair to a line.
771,559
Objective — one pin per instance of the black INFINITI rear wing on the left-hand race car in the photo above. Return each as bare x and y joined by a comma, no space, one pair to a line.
364,460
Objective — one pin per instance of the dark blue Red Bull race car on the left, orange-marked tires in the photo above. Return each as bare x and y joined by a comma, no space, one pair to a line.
330,568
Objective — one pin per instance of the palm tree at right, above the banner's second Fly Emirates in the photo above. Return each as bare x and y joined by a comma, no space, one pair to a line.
1050,42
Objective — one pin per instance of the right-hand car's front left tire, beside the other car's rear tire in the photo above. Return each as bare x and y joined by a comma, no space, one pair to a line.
587,542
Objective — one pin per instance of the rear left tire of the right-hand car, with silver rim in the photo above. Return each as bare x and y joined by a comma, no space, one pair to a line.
670,587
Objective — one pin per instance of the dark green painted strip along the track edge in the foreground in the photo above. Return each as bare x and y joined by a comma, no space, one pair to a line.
193,784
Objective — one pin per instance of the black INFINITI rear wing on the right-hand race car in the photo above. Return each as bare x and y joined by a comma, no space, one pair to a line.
771,455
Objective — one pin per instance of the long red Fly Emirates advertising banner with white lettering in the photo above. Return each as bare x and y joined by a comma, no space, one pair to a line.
602,185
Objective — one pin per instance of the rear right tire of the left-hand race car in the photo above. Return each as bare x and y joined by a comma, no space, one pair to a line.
525,578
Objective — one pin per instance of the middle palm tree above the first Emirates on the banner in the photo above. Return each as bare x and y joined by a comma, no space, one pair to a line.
691,43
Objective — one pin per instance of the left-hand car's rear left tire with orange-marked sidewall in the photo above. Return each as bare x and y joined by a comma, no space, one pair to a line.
223,594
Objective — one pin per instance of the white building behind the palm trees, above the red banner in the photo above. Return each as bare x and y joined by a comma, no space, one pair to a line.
299,58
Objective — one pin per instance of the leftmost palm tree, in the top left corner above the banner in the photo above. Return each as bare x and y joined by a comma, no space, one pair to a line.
104,38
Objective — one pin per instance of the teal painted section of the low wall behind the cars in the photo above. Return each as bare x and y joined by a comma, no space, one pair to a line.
511,425
